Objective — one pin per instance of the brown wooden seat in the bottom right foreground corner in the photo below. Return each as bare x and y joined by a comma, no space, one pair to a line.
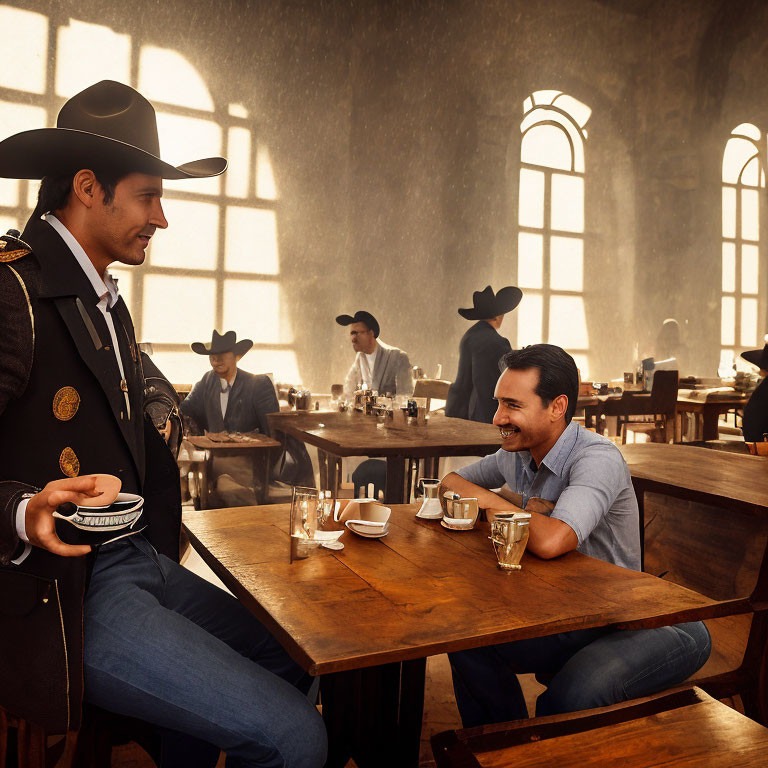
685,727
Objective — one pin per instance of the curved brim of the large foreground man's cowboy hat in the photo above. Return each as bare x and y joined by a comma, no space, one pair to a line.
59,151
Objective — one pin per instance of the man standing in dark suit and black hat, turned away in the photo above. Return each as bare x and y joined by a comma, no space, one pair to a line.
480,349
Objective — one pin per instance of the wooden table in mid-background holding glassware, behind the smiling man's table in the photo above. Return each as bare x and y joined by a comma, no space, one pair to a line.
355,434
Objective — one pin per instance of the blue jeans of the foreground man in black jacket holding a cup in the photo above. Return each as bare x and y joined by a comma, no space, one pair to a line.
166,646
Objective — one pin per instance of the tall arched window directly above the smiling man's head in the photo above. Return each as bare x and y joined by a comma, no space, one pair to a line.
550,245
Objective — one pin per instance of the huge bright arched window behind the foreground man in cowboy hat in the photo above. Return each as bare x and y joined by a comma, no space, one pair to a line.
217,265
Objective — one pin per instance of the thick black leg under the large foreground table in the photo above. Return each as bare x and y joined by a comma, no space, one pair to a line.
374,715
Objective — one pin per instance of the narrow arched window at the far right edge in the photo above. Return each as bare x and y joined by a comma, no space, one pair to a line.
743,177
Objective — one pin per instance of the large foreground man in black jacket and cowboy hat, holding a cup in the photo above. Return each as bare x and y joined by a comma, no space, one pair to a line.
153,641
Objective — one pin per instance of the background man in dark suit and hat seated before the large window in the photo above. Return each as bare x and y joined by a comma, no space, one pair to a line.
228,399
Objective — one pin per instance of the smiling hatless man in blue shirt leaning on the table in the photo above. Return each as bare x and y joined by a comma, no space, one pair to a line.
578,490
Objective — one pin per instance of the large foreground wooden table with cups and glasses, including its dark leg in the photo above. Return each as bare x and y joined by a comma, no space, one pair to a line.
367,617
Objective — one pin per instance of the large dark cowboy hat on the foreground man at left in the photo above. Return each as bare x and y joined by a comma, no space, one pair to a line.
107,126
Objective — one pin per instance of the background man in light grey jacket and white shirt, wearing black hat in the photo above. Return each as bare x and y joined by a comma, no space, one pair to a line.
378,366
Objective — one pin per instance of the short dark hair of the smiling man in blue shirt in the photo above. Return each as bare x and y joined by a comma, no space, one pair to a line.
558,374
